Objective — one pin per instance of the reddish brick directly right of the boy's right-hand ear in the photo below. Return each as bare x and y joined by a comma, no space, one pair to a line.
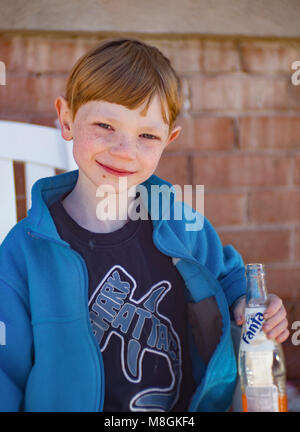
204,133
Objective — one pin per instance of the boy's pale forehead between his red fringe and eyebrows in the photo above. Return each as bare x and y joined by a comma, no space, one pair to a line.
151,116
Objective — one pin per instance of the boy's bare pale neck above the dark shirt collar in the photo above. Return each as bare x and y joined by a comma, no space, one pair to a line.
95,211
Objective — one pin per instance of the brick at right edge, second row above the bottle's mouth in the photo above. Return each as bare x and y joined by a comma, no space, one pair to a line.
274,206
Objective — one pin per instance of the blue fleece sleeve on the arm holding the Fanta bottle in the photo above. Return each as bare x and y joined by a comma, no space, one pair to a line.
223,261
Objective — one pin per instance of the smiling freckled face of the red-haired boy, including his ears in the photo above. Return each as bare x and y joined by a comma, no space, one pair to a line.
112,141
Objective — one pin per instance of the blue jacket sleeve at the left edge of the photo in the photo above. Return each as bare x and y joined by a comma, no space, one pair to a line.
15,333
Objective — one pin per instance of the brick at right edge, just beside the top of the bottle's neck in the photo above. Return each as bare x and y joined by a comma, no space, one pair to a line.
284,282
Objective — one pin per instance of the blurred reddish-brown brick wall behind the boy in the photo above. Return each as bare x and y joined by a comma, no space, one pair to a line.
241,137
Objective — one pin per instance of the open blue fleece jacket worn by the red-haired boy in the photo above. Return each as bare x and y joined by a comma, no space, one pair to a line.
51,361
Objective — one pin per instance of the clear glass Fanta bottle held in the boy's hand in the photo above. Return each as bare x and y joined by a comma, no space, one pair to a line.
261,360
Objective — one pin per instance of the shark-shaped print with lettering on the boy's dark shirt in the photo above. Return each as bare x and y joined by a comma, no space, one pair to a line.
113,310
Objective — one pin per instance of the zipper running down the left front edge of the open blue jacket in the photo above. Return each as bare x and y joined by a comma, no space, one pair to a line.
36,235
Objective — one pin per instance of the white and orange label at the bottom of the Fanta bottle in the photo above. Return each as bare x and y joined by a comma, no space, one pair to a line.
261,399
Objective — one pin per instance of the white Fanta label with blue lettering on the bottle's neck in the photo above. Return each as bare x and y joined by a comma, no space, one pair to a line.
253,338
